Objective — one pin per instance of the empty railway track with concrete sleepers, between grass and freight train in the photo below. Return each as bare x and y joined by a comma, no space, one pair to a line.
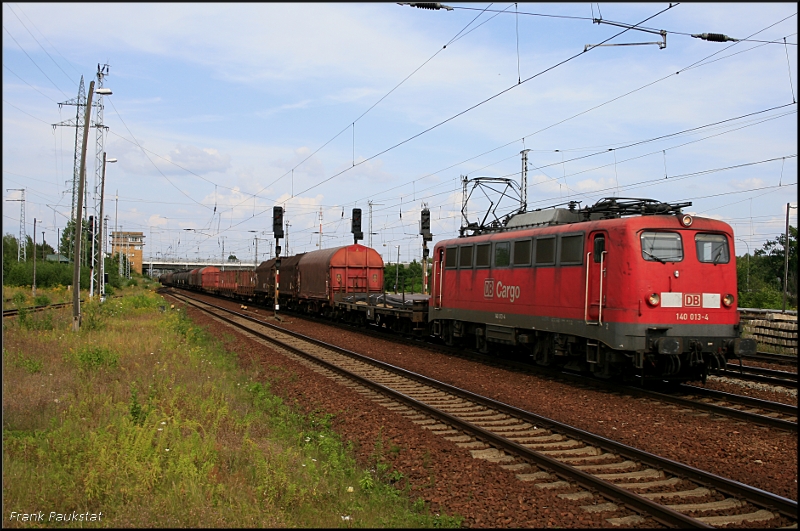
576,464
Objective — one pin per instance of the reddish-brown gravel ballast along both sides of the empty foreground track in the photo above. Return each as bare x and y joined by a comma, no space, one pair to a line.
450,480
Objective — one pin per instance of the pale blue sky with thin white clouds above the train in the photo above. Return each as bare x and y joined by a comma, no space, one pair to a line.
221,111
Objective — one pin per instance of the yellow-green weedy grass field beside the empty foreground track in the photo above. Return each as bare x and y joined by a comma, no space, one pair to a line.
147,418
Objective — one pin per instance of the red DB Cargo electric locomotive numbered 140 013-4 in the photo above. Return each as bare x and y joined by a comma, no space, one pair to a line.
625,287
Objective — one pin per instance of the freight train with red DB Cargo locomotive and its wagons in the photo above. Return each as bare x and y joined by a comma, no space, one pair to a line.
629,288
